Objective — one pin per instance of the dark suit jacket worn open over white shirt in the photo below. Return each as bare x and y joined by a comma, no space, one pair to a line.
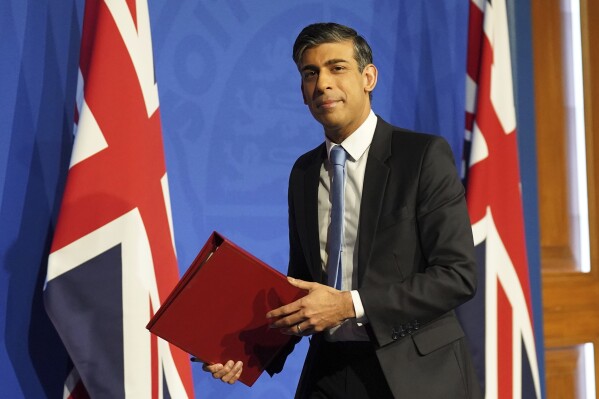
415,261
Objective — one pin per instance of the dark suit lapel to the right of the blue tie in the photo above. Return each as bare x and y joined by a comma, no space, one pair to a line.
373,192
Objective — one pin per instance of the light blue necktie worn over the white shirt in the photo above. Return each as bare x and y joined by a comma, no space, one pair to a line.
335,238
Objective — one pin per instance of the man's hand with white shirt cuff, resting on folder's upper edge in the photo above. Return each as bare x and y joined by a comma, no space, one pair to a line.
323,308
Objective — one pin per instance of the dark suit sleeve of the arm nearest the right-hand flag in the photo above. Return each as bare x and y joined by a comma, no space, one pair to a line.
423,266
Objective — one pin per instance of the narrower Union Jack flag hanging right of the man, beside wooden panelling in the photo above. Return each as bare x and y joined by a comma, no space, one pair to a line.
504,345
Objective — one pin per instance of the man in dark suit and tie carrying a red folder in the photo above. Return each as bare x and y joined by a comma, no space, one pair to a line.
407,259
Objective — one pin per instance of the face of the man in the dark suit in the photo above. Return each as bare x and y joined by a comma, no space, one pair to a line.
336,92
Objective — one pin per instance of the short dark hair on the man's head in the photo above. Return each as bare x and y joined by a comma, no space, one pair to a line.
329,32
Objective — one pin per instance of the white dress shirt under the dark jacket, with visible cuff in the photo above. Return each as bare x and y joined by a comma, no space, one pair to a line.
357,146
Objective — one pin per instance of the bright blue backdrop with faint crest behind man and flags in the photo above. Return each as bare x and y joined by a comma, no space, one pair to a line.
233,124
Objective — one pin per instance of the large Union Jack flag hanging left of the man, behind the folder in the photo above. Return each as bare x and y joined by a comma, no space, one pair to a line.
113,258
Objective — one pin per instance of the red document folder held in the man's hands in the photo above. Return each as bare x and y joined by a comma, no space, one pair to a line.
217,311
